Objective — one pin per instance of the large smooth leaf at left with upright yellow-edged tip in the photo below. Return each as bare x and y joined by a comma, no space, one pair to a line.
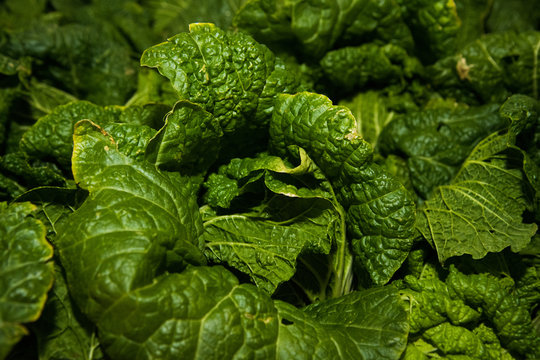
134,223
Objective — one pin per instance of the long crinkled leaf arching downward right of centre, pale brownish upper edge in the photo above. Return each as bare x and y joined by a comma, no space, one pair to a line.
380,211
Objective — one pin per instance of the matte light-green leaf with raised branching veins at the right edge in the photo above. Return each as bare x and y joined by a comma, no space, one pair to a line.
481,210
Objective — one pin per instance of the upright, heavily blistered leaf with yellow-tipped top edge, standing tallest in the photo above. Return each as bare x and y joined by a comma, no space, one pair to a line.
228,73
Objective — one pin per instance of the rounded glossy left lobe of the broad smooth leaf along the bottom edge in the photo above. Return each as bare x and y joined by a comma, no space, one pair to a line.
202,313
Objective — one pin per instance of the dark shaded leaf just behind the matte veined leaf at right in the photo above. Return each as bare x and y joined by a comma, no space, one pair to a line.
435,142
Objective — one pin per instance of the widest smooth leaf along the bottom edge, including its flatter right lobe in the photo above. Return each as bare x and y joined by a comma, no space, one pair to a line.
240,322
